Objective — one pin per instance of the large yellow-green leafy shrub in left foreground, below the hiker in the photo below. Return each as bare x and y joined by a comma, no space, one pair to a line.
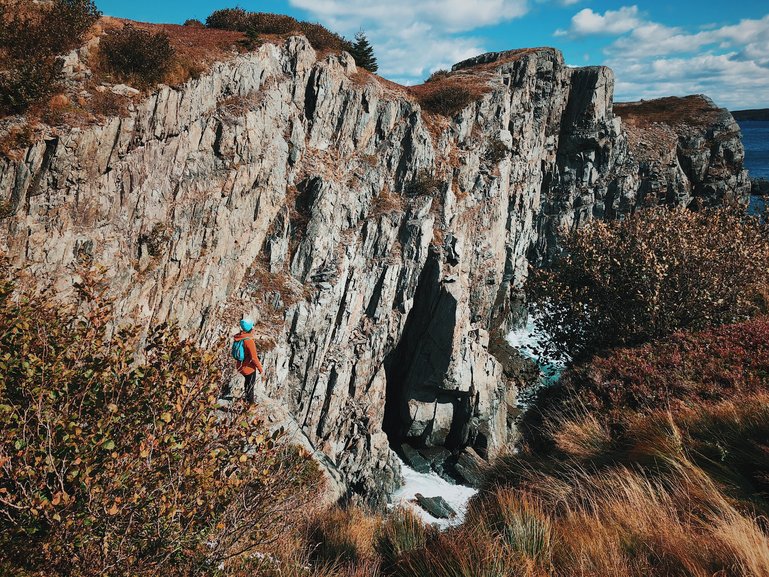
114,465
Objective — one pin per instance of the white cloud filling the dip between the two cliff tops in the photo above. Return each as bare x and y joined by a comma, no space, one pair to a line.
415,37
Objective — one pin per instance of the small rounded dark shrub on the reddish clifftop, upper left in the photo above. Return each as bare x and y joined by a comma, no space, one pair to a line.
137,56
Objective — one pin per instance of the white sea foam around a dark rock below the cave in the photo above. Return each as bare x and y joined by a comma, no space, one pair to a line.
432,485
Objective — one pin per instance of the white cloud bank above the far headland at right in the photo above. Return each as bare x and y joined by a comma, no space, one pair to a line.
728,62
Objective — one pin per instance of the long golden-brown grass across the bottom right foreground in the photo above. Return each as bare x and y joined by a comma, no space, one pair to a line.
672,493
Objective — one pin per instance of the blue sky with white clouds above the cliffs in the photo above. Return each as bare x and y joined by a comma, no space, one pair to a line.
656,48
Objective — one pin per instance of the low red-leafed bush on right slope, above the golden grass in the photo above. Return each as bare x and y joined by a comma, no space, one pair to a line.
684,369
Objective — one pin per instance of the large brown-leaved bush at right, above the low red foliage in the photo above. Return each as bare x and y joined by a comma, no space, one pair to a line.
659,271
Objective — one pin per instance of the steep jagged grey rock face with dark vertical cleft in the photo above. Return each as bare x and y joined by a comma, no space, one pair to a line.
379,248
